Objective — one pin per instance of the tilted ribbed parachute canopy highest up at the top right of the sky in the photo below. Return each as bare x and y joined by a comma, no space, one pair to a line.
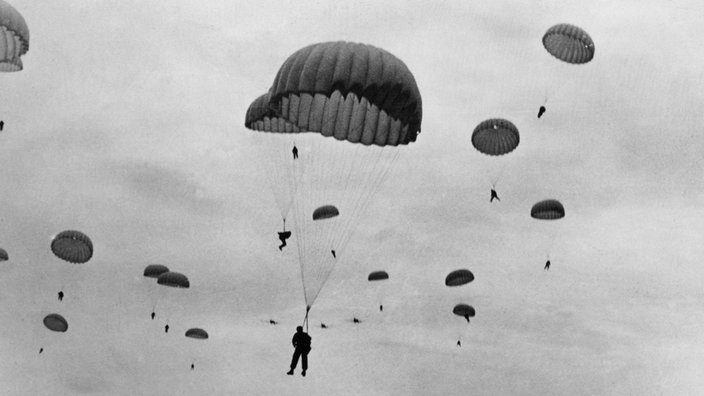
569,43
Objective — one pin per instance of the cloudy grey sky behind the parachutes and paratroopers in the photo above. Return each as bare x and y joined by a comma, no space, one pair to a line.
128,124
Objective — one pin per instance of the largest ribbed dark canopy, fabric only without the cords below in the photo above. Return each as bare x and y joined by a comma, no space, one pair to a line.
353,92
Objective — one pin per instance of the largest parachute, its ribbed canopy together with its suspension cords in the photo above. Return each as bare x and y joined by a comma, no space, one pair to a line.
347,108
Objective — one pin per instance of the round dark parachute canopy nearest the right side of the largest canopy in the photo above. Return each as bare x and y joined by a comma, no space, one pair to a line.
495,136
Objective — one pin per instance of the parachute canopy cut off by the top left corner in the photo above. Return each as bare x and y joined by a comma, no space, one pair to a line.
14,38
